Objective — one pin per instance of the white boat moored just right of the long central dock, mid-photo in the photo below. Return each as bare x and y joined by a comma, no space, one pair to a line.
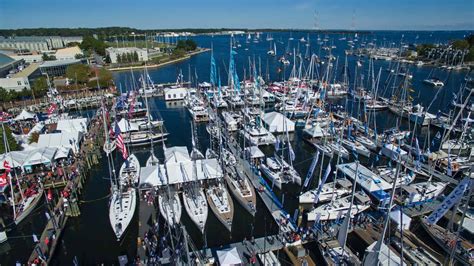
279,171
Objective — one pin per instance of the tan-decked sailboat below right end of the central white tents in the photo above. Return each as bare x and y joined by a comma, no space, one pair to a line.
221,204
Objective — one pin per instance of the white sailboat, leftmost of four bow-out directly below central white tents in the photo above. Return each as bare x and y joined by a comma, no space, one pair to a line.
170,207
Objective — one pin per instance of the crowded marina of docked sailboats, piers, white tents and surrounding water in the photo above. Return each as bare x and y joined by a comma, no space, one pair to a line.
191,164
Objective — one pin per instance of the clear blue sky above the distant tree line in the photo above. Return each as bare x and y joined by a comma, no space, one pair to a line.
291,14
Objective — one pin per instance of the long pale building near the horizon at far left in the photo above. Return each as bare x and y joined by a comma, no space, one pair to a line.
37,43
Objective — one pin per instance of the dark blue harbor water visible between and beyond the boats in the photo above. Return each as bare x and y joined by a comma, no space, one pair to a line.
90,236
